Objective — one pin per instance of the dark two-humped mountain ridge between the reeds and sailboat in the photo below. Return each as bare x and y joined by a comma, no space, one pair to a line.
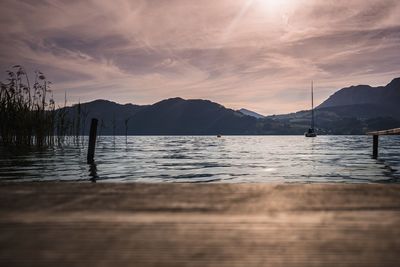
174,116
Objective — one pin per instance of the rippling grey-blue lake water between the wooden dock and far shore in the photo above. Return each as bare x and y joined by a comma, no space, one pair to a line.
230,159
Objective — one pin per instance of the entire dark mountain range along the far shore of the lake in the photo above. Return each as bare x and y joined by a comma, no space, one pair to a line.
351,110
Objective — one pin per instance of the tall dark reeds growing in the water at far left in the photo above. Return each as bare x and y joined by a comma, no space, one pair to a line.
28,115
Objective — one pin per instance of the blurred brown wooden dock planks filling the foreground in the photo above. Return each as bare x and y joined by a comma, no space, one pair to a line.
82,224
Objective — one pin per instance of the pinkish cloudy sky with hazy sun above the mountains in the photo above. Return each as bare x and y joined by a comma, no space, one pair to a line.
256,54
